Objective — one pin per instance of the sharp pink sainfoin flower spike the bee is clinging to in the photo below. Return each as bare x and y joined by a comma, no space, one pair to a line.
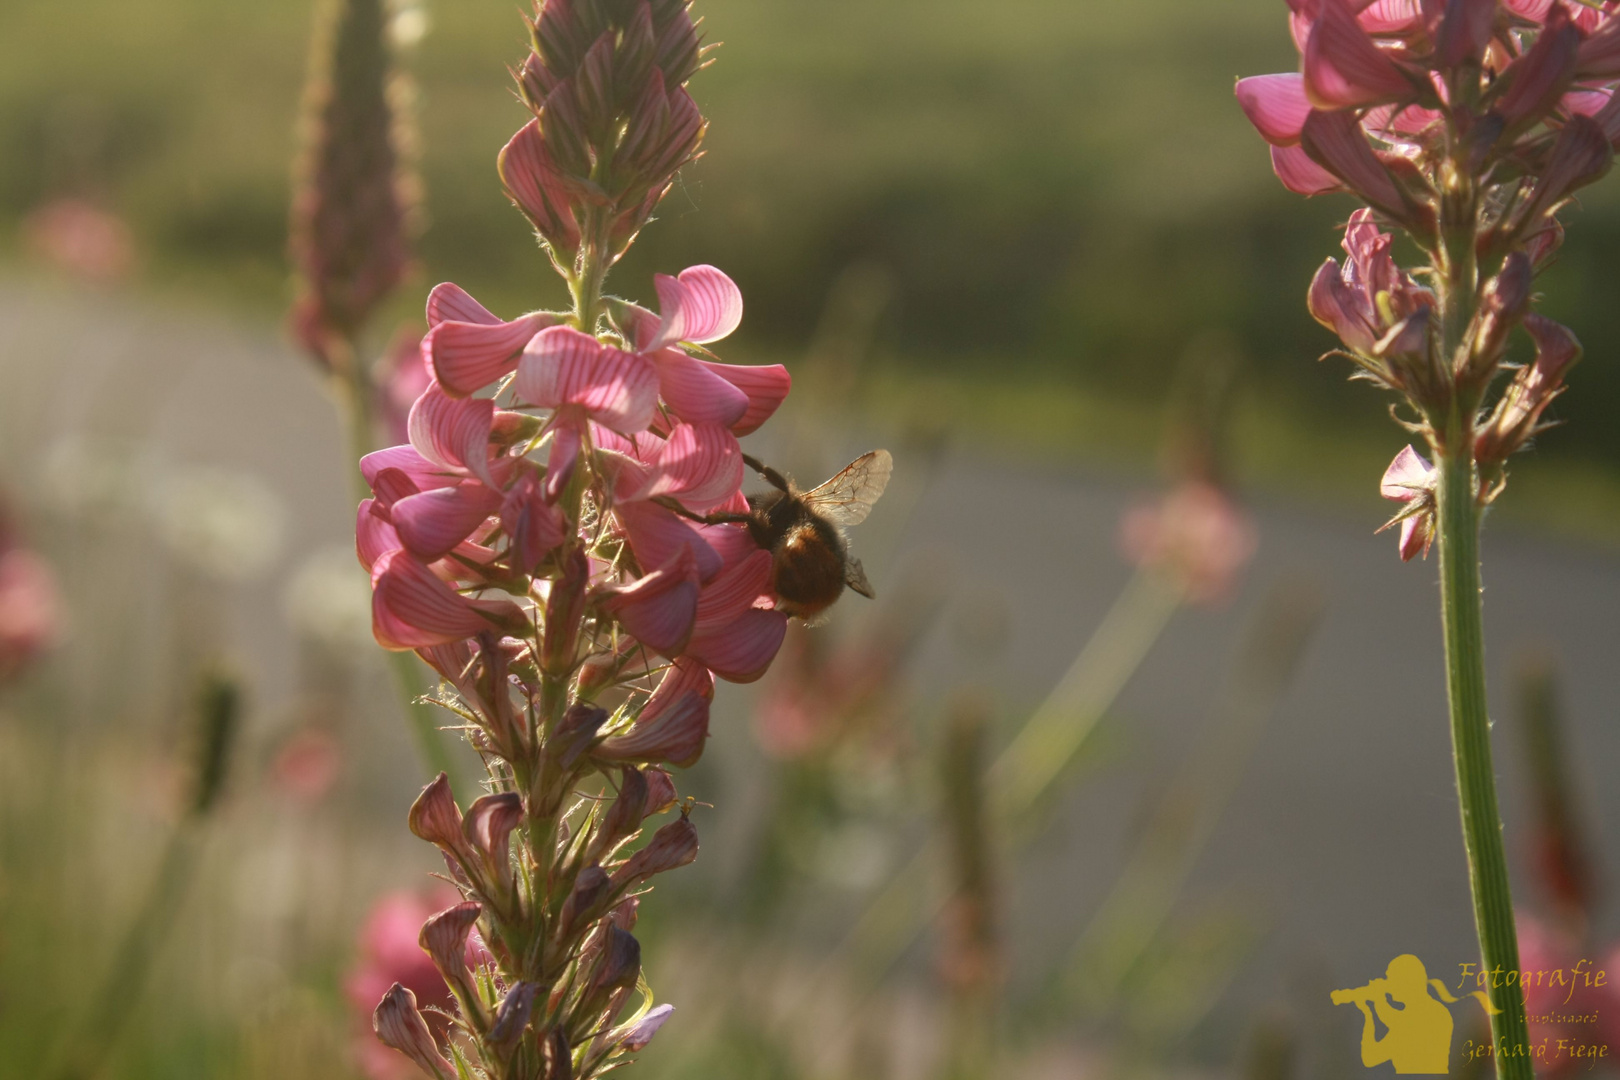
565,540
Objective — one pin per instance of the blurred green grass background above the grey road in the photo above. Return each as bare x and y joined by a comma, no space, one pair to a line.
1064,195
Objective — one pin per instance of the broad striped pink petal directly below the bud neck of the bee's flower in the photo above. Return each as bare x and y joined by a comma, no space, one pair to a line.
565,367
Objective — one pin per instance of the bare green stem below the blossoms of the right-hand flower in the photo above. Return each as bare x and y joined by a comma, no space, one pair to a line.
1465,676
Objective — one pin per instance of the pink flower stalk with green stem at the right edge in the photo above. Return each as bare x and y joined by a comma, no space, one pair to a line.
1467,125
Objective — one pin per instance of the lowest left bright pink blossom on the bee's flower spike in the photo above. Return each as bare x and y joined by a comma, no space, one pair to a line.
411,608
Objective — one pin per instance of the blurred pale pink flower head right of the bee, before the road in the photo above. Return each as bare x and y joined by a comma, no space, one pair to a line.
1196,535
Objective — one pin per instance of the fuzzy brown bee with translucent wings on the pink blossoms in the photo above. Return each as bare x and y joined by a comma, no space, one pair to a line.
801,530
